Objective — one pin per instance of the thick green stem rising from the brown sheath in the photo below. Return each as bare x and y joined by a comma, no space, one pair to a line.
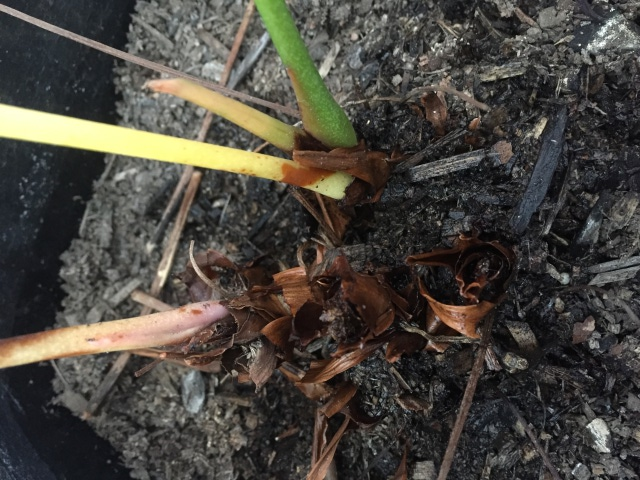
321,115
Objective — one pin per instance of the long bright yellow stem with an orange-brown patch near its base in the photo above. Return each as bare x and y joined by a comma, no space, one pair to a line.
35,126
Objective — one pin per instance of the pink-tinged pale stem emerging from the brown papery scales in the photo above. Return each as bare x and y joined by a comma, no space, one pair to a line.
158,329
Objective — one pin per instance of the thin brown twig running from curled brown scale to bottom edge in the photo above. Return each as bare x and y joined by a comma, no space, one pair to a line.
467,399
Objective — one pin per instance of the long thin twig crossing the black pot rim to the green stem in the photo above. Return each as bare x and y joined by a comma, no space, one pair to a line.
144,63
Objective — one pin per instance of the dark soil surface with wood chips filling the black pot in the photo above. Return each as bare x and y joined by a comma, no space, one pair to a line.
562,81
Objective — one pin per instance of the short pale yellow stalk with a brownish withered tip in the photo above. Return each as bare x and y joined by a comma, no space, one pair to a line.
260,124
